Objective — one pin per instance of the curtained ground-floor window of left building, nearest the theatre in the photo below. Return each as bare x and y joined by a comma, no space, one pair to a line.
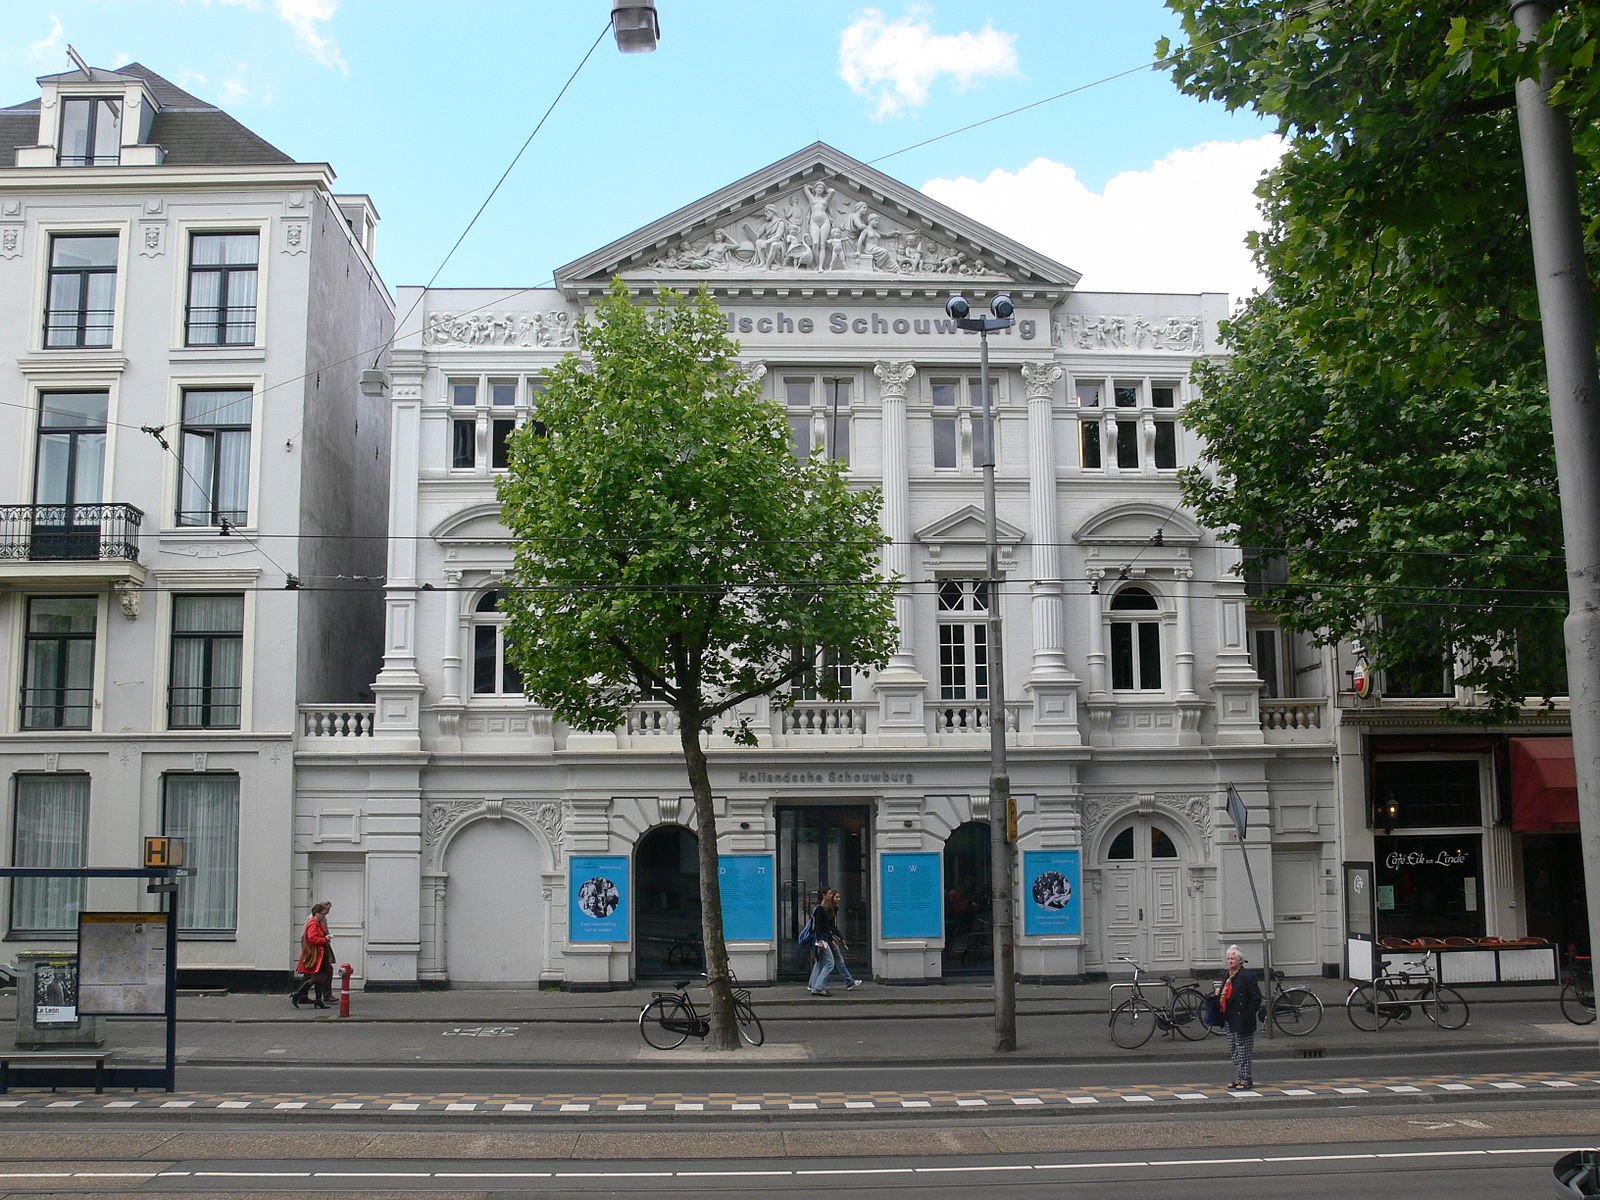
204,810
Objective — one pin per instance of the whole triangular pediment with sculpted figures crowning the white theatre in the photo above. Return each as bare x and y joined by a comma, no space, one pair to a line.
820,222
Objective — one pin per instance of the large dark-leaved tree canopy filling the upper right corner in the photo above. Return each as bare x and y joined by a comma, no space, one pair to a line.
1383,423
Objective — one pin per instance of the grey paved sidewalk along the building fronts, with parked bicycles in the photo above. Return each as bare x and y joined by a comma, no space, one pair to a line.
876,1023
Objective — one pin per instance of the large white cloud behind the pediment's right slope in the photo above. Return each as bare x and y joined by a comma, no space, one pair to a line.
1175,226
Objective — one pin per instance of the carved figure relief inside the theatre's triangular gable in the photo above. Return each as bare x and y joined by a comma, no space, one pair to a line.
818,230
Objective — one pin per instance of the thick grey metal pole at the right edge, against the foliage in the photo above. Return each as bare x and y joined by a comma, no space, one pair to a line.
1567,316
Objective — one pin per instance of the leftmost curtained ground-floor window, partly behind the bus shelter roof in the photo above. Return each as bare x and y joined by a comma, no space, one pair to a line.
50,830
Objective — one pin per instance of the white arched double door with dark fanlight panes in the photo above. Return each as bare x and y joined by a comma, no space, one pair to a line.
1143,900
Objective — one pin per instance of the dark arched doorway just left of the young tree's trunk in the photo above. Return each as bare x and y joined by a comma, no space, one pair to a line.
666,905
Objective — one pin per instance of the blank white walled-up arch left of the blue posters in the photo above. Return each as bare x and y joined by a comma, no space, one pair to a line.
495,918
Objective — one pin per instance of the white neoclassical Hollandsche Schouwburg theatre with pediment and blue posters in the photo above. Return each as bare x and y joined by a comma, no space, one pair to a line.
473,833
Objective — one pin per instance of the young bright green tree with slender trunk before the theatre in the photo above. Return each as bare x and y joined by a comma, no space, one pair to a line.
671,546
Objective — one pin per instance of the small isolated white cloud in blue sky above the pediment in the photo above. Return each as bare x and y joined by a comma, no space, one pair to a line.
895,63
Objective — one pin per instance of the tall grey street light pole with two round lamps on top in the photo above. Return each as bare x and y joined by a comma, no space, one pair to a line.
999,782
